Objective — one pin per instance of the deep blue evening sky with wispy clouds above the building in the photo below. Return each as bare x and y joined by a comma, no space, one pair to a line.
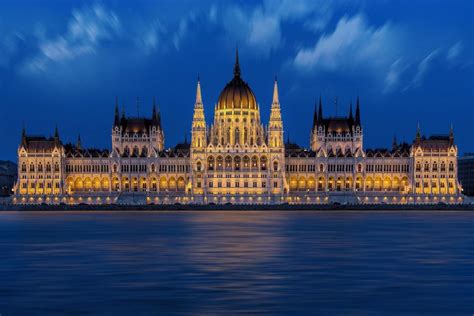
64,62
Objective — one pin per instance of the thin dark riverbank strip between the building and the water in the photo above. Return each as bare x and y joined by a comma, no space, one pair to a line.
235,207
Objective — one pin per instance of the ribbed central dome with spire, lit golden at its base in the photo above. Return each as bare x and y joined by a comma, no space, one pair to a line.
237,93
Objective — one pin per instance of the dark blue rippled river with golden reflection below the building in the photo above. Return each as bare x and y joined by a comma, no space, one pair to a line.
202,263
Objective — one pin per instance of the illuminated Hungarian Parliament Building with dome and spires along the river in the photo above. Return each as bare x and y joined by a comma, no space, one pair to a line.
236,160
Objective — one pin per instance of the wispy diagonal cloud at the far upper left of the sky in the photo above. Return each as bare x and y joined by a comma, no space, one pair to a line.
87,29
